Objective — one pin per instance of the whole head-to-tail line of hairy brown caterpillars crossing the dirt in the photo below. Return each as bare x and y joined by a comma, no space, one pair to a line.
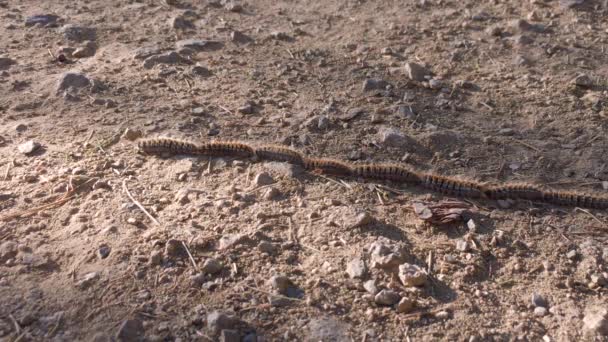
376,171
